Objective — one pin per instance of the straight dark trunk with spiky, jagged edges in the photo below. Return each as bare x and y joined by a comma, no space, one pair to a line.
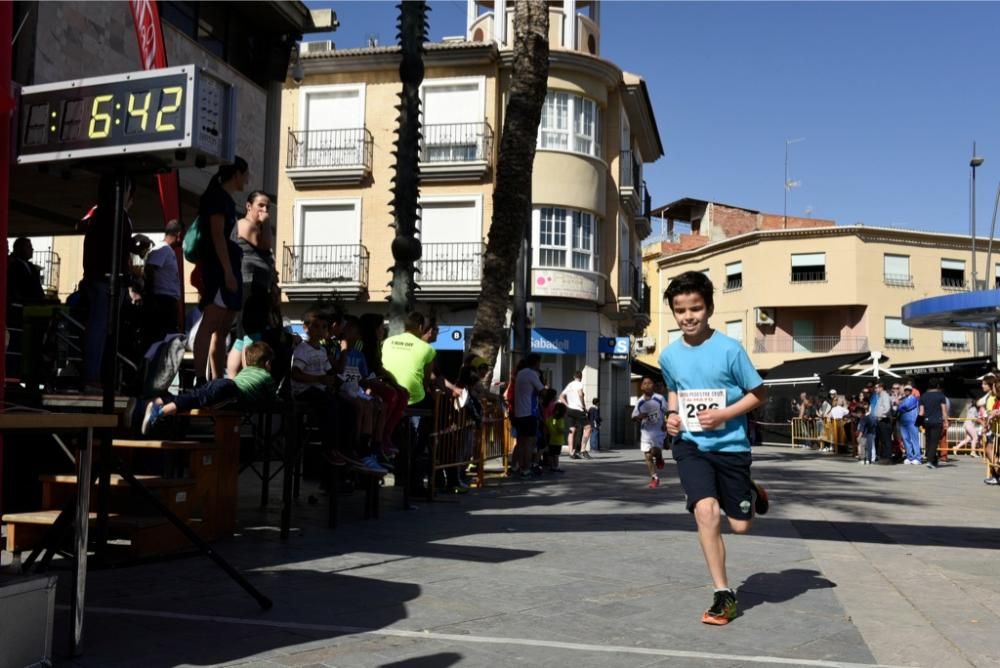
406,249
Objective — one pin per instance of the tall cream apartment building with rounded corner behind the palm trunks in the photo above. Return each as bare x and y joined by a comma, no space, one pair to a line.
591,207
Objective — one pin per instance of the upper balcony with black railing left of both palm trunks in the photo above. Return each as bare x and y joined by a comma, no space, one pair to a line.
329,157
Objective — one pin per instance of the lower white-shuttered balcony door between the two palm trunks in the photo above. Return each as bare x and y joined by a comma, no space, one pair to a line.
451,233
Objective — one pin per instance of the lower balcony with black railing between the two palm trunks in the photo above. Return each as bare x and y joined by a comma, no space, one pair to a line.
451,271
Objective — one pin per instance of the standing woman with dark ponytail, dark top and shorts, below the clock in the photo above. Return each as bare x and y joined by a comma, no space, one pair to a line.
221,297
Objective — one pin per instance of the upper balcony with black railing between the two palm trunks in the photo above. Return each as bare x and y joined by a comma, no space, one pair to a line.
456,151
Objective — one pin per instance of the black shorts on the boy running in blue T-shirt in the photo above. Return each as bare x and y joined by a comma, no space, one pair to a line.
720,475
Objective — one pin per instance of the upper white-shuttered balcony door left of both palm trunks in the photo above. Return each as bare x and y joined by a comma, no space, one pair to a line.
333,118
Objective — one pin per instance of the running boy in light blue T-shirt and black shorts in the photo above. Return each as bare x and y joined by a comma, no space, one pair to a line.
713,386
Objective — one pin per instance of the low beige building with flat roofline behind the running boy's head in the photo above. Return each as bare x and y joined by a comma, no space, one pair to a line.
809,290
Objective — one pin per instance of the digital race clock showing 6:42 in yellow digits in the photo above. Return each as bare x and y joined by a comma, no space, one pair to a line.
178,115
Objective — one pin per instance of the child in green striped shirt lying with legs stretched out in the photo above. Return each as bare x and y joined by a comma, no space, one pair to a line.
252,387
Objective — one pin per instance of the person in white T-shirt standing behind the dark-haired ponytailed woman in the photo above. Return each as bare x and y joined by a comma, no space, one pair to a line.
161,304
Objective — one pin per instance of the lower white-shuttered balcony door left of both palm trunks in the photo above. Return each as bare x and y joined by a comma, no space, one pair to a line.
329,242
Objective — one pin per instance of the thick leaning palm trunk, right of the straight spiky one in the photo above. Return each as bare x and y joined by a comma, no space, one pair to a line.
512,194
